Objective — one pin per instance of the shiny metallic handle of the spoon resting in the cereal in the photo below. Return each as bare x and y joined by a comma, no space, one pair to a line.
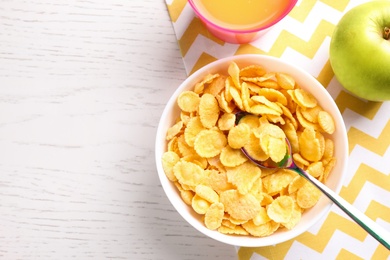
375,230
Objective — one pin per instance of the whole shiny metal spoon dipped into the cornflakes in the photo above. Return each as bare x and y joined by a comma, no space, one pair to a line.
365,222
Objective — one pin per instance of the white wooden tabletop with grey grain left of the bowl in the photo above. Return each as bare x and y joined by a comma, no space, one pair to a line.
82,87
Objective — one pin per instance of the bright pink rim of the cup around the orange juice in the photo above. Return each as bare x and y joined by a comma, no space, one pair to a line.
284,14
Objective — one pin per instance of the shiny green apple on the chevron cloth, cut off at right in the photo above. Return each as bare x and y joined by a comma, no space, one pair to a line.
360,51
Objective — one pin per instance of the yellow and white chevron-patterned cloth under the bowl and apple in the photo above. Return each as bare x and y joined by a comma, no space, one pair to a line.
303,37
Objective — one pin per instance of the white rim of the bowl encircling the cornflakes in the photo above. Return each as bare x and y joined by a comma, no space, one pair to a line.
176,201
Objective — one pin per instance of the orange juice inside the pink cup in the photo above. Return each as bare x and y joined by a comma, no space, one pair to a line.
242,14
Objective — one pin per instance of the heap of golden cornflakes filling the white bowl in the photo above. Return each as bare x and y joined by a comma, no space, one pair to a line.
205,159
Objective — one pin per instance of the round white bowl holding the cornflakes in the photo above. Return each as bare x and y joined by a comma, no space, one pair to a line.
305,81
